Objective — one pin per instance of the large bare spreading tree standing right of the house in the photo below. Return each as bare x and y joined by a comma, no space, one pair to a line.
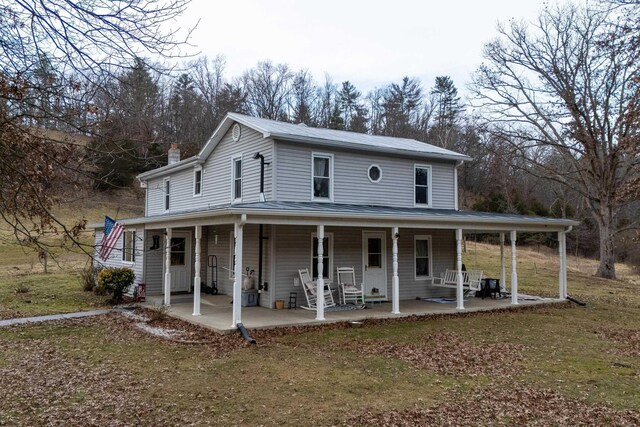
563,88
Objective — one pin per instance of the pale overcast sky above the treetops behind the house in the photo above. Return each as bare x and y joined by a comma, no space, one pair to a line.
370,43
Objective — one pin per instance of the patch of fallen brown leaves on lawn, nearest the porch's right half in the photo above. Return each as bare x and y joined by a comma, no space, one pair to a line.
448,353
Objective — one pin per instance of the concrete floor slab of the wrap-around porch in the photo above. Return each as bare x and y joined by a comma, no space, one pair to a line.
216,311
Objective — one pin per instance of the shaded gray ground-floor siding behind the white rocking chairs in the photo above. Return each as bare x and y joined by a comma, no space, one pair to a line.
293,252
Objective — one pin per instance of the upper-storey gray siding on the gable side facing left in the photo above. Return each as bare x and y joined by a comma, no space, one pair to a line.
216,176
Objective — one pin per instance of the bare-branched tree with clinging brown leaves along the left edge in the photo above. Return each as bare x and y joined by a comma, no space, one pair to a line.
55,55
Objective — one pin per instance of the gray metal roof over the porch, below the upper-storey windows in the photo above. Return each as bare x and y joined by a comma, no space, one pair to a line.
359,214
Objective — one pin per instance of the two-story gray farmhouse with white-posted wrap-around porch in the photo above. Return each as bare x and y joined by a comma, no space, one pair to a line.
275,198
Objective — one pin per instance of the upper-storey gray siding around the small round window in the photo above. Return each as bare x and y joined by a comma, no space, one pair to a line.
351,184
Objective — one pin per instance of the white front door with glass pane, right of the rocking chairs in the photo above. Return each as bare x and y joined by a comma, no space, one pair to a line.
374,264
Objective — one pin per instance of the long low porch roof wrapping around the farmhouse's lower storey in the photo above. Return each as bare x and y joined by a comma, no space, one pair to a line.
349,215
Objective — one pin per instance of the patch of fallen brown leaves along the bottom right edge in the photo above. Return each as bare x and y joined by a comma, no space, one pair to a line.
500,406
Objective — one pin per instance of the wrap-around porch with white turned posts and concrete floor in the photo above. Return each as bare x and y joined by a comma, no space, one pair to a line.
233,314
